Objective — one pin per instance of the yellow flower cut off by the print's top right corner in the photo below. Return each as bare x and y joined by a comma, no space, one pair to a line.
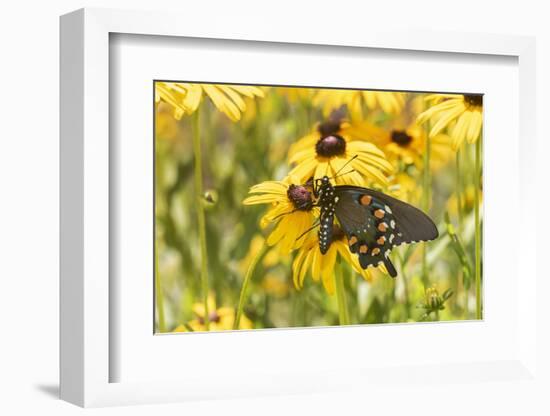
461,114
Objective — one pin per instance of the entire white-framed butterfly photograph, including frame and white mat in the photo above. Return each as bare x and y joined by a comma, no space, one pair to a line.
272,214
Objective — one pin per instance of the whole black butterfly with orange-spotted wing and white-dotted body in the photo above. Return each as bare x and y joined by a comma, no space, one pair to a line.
373,222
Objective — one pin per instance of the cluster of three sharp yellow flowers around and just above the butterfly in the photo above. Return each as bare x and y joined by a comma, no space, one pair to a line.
325,150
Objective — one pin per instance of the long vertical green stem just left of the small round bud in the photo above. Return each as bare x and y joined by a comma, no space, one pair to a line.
200,214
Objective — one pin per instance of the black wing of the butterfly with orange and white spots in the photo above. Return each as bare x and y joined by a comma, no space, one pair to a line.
375,223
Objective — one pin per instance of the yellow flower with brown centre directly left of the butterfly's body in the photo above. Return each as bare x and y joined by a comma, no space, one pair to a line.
291,206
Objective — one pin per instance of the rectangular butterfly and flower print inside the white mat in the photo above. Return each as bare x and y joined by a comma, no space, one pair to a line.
284,206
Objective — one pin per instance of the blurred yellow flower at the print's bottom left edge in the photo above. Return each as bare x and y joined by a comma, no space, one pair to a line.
221,319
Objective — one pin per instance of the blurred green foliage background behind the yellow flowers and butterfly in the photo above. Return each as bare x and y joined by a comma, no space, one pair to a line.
237,155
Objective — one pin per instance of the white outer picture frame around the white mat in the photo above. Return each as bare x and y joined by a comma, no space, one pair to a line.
85,215
